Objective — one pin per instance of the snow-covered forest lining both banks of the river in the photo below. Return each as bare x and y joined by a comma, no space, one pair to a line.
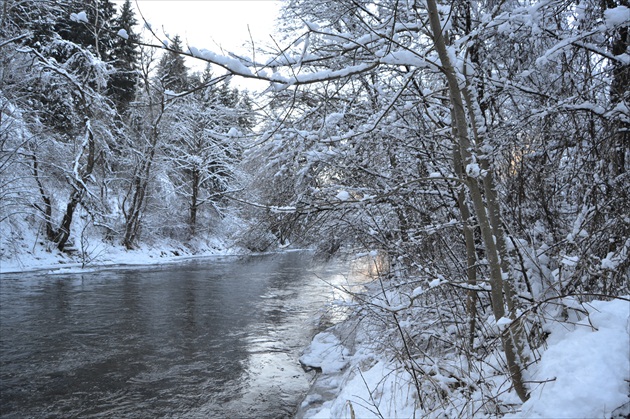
480,148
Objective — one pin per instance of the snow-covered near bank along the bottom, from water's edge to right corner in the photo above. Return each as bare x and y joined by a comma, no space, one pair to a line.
584,372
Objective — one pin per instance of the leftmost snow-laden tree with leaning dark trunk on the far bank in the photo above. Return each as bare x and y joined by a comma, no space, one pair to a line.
54,85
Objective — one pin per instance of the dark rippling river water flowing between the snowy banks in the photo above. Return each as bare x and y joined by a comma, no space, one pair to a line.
200,339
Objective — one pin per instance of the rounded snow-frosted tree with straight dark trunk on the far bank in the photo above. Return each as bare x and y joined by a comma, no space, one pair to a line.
204,130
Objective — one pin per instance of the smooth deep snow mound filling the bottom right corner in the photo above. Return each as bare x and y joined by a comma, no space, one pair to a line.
585,371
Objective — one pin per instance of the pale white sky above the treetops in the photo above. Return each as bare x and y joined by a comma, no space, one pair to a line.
211,24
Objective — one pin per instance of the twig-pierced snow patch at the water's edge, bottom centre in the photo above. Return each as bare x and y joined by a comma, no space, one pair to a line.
356,381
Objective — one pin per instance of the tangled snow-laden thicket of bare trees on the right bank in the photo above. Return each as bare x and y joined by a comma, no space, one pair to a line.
507,119
